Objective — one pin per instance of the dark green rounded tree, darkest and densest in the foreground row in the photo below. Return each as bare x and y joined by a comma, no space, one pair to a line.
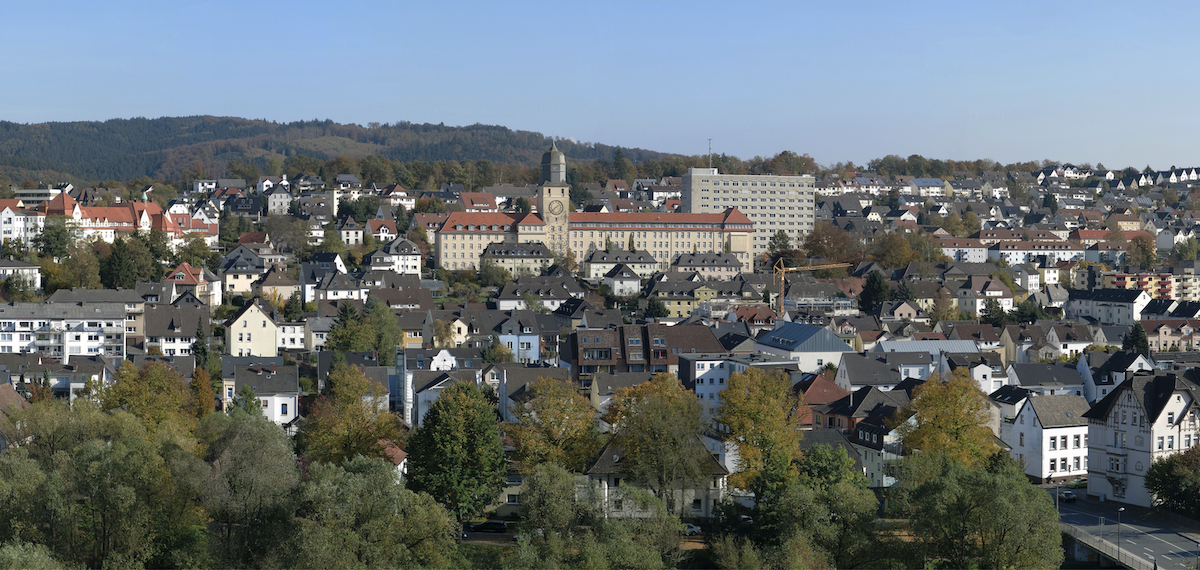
457,455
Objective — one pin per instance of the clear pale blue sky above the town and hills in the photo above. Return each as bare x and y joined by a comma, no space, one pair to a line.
1013,81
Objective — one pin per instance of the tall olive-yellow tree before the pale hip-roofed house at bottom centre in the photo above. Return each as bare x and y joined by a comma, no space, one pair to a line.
657,427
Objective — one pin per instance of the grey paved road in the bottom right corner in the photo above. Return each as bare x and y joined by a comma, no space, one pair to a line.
1150,539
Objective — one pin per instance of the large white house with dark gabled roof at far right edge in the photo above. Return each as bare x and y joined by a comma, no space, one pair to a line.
1143,419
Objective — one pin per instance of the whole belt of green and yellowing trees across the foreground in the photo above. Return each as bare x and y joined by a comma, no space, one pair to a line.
140,476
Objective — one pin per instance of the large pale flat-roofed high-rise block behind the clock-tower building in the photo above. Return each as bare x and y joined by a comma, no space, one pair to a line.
772,202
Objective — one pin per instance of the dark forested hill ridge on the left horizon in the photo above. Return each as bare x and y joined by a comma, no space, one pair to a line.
124,149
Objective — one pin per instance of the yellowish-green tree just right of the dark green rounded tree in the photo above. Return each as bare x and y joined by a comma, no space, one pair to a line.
554,425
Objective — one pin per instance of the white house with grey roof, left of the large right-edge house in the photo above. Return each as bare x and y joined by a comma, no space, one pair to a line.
1049,437
